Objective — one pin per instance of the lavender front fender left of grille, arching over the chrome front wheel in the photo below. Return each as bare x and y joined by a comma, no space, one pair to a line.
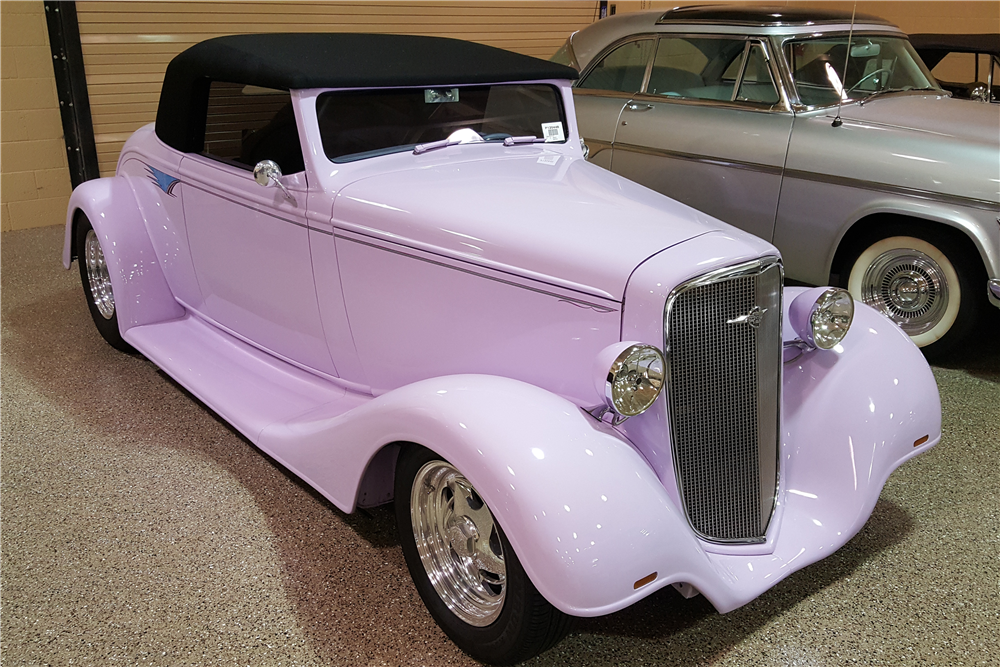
585,513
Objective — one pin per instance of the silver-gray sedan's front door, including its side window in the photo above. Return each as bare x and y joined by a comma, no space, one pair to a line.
710,129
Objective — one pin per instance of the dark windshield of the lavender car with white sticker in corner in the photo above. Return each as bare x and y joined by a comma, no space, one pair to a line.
358,124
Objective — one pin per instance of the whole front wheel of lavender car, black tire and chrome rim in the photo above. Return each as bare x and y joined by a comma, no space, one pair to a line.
464,567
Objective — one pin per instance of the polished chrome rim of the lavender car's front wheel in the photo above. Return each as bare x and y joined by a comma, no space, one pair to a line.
458,543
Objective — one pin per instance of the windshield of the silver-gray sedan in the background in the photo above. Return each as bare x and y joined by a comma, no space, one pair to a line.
877,64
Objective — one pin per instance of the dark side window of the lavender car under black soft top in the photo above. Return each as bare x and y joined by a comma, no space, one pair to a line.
247,124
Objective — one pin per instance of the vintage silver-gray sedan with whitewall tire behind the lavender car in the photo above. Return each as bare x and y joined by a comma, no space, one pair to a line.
877,180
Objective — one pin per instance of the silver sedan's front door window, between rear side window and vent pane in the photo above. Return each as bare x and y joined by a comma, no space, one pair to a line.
701,68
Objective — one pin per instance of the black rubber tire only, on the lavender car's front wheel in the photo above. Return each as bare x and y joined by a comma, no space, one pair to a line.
524,625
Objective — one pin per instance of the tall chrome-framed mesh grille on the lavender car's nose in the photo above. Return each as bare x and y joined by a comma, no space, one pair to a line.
723,340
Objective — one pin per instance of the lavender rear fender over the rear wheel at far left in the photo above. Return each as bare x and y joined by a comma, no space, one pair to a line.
141,292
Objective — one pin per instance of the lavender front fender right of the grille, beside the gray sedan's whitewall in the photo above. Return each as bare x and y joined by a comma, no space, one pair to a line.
852,414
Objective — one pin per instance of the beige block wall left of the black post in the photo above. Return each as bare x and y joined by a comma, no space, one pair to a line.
34,176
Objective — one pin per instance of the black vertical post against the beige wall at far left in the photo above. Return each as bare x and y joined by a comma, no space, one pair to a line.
71,86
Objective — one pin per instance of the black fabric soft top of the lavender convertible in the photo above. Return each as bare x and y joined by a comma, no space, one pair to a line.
327,60
